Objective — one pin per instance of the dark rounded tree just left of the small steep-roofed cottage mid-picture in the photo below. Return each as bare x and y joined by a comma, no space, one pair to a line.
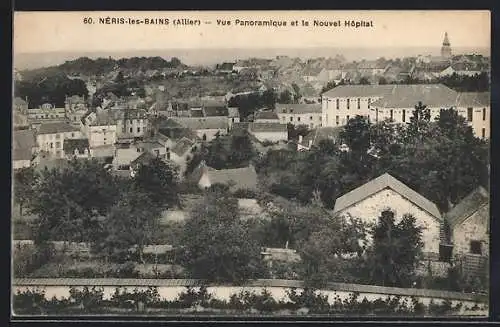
159,180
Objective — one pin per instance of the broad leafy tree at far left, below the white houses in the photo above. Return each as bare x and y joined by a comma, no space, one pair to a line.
69,202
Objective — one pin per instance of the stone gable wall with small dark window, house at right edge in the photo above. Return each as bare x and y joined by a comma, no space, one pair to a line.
471,236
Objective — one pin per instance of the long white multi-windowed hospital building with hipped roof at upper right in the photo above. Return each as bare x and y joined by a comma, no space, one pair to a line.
397,103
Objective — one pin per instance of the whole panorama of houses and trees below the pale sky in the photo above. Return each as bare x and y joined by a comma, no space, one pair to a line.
318,171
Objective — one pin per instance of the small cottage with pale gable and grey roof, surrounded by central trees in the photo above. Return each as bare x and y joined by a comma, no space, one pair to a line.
236,179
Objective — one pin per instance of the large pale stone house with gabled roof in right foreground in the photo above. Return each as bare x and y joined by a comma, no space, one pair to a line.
386,192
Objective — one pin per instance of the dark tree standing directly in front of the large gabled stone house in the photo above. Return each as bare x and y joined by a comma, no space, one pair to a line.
396,250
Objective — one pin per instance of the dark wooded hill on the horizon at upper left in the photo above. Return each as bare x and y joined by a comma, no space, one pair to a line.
88,66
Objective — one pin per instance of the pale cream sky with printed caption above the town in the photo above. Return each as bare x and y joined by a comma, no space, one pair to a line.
43,32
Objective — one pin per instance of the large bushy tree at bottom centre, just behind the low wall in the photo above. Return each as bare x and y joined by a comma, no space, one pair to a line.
218,247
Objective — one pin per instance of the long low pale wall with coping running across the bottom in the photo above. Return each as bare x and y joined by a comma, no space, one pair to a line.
169,289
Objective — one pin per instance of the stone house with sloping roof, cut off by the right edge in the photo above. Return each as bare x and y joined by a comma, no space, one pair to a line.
469,224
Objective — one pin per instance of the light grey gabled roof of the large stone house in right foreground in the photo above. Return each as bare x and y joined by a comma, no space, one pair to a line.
380,183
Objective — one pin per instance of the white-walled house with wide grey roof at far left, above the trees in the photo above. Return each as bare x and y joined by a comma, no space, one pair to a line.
51,136
